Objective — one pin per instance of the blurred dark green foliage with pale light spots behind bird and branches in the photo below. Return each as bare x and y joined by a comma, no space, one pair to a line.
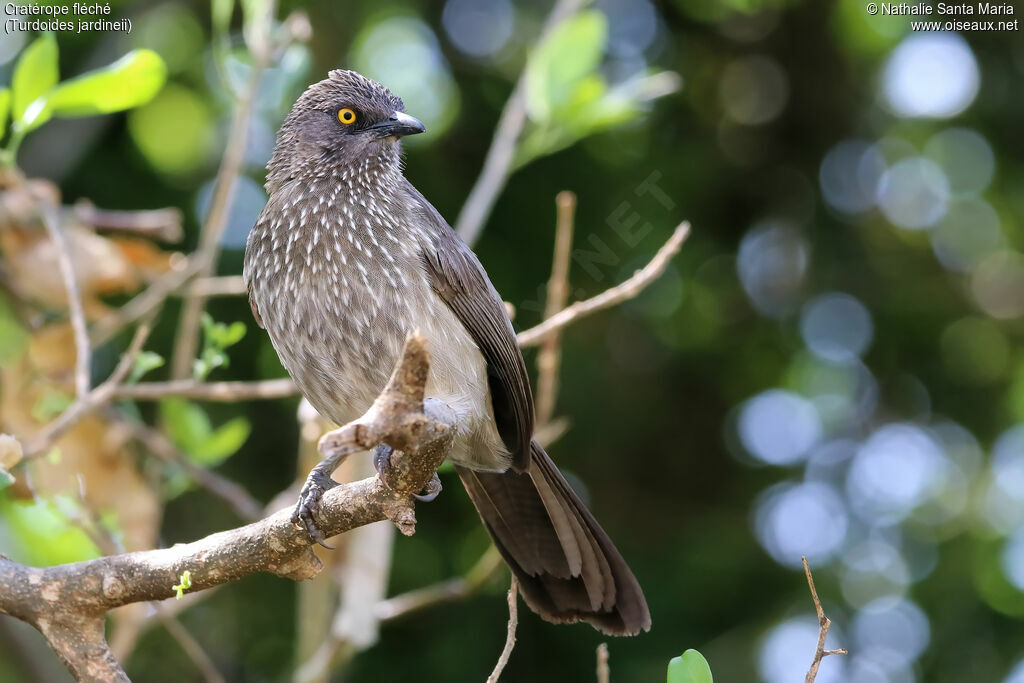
831,368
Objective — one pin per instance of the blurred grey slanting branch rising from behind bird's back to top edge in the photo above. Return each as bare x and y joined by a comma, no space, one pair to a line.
498,164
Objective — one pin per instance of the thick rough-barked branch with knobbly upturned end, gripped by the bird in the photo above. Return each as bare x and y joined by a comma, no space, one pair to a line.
68,604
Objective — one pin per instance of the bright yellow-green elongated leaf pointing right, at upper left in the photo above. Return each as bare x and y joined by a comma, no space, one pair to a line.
130,82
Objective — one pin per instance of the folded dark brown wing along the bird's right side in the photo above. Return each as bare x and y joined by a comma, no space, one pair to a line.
460,281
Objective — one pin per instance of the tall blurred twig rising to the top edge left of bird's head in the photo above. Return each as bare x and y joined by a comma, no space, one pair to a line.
187,341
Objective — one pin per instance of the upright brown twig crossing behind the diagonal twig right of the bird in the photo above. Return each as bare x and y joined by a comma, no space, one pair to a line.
549,359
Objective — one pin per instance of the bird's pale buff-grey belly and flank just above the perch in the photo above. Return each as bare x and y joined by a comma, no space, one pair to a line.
342,358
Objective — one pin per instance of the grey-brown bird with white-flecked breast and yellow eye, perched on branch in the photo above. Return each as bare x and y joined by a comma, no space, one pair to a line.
347,260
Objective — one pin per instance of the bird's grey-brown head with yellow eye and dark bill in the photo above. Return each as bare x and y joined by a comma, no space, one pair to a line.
348,123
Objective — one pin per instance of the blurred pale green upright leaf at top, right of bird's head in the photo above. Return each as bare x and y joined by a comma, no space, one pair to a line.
572,53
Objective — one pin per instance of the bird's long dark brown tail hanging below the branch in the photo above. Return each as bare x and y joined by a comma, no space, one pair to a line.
568,569
